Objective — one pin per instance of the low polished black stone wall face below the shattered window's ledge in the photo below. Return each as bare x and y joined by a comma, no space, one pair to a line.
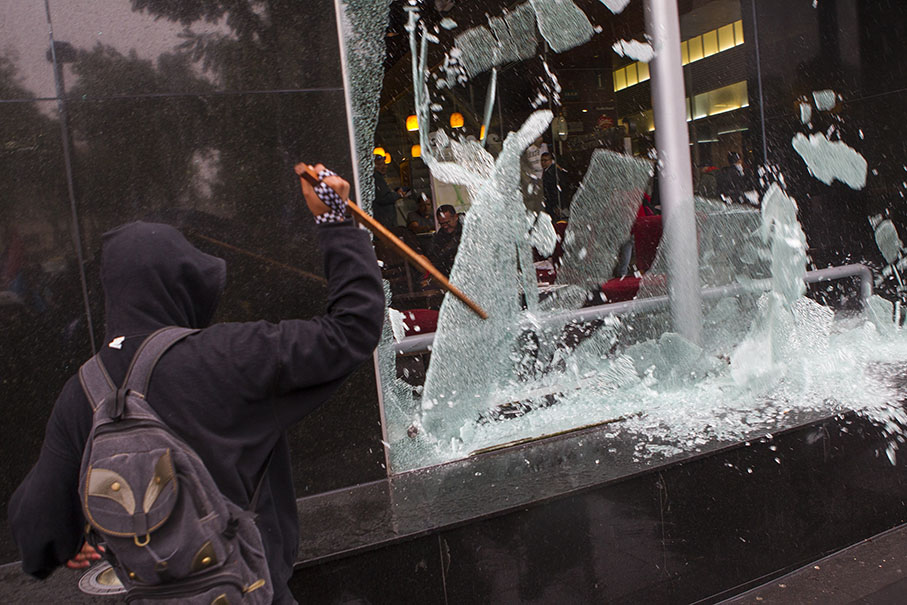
698,531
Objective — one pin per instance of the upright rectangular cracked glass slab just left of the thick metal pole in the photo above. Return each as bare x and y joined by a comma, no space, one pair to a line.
602,214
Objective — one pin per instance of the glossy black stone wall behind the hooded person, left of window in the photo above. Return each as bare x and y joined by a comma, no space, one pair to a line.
191,113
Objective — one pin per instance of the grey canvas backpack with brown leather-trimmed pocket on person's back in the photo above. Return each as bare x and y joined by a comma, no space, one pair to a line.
167,530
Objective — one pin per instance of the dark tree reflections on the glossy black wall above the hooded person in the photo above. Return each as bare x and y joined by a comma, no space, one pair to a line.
137,153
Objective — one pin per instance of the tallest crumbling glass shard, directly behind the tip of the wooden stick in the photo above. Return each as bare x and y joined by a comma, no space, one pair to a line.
471,358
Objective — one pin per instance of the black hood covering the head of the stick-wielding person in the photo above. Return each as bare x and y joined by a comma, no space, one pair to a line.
153,277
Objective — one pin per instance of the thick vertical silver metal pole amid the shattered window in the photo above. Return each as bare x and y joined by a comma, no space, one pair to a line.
672,141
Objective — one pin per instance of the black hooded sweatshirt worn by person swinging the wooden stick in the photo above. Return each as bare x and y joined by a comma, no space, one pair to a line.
230,391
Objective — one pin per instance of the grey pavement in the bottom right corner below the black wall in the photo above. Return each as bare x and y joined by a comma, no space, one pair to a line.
872,572
